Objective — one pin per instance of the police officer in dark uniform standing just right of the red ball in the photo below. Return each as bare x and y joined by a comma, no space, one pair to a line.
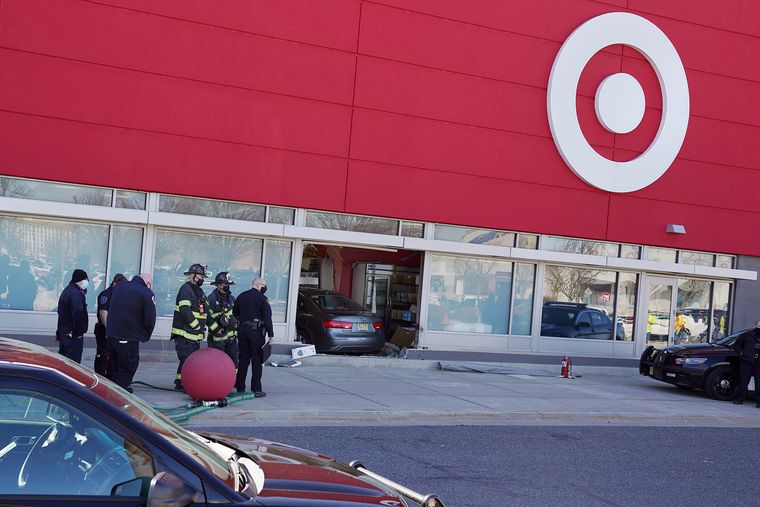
254,323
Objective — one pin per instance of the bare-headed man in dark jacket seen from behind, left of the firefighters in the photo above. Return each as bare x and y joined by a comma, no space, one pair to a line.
131,320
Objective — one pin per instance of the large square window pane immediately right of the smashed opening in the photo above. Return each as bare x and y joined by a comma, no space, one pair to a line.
469,295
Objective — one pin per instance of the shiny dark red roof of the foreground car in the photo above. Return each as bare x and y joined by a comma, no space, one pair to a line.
27,359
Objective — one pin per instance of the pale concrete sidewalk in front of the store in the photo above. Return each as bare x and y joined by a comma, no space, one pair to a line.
332,390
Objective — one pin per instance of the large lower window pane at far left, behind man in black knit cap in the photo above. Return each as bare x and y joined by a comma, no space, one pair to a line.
38,256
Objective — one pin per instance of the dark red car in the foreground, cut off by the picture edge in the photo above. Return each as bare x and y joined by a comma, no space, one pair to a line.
70,437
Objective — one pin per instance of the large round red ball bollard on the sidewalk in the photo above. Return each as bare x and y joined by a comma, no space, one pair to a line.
208,374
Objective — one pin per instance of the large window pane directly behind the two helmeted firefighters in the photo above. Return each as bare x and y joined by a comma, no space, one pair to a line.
176,251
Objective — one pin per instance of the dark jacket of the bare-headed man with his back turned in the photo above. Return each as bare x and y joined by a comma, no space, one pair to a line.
132,313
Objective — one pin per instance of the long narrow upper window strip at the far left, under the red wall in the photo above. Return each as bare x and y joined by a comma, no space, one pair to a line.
53,191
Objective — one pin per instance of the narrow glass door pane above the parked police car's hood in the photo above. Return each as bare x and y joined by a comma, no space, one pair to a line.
661,319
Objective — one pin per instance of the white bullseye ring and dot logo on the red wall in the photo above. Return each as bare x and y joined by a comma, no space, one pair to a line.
619,102
